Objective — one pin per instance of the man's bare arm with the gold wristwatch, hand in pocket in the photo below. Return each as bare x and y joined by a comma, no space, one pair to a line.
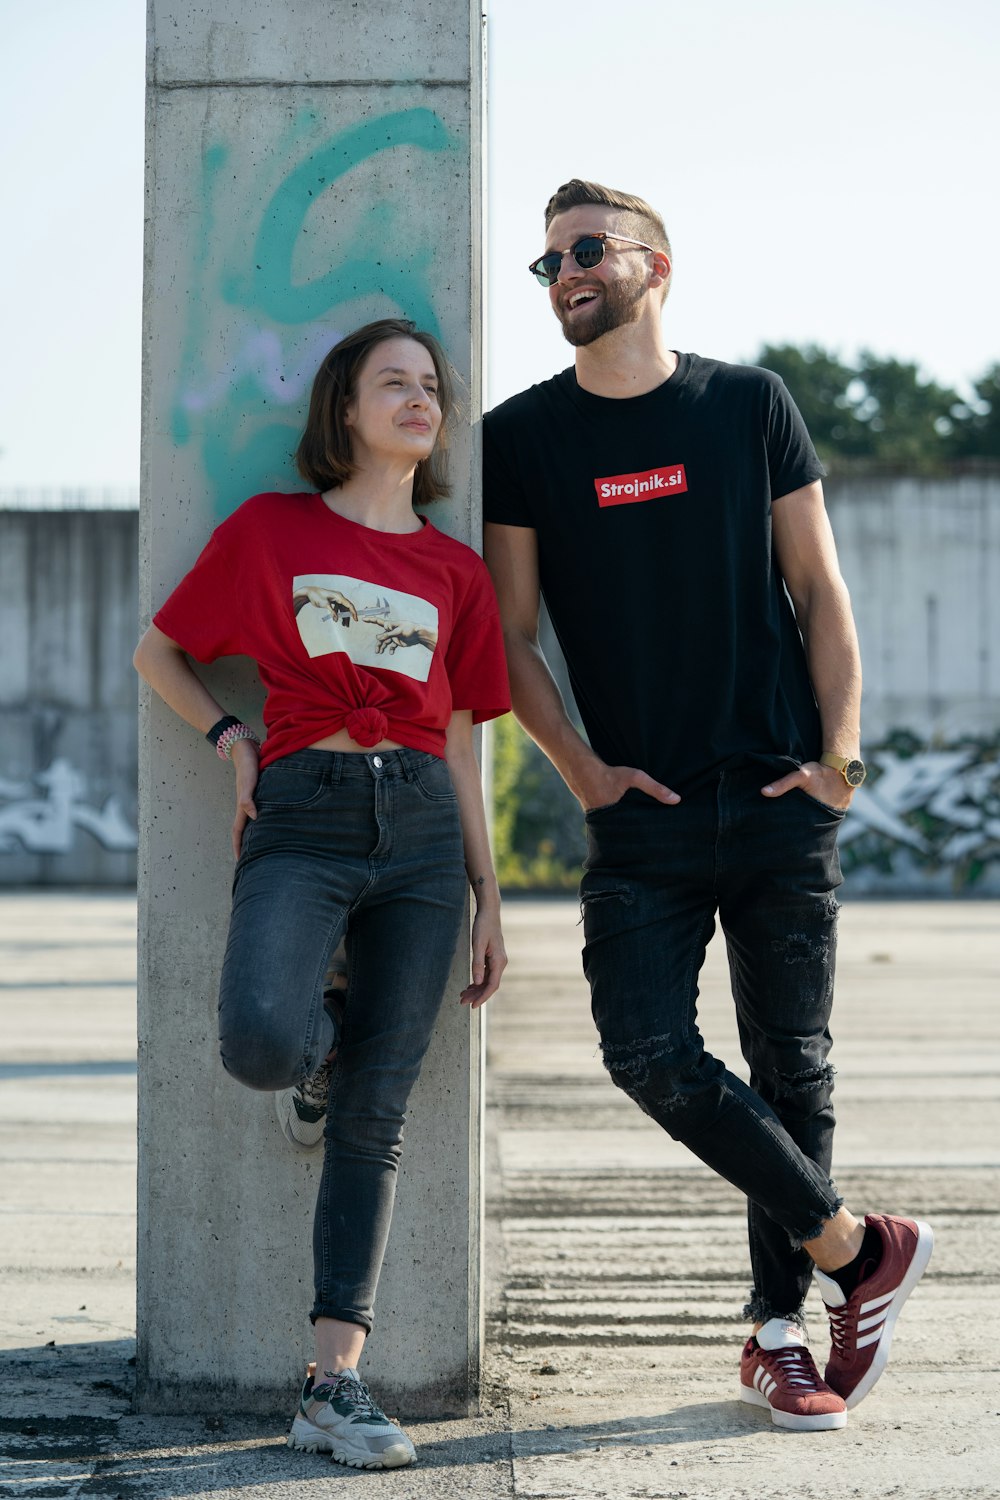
807,559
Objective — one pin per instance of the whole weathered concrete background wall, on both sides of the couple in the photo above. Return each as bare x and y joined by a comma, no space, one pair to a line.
923,560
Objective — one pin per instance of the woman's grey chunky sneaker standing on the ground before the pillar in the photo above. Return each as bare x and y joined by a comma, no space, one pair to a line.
341,1418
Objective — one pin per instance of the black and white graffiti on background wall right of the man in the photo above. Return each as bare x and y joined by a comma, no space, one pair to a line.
927,811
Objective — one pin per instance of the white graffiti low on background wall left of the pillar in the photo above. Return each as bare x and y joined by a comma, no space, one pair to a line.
47,824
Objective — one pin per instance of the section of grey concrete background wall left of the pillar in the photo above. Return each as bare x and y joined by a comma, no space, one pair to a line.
68,736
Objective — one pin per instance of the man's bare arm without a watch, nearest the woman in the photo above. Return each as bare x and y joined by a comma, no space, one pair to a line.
512,556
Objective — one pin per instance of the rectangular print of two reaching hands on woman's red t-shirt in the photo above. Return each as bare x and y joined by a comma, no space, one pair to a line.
373,625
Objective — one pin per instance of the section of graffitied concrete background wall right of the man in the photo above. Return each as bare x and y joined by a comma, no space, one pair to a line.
923,563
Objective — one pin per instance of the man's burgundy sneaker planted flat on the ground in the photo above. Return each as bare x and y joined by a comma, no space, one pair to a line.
777,1372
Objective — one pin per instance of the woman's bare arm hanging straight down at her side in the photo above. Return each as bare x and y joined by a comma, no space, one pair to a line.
490,958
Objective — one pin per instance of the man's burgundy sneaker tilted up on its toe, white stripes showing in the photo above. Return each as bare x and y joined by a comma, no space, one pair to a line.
863,1324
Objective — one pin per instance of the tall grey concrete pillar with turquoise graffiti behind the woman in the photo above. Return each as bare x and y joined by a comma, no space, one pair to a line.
311,166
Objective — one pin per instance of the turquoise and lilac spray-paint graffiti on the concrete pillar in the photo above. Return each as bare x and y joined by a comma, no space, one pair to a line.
290,239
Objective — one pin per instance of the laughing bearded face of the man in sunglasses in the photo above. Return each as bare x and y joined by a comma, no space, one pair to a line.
609,296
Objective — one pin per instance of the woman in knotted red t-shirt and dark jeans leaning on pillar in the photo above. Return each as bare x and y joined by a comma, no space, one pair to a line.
379,646
